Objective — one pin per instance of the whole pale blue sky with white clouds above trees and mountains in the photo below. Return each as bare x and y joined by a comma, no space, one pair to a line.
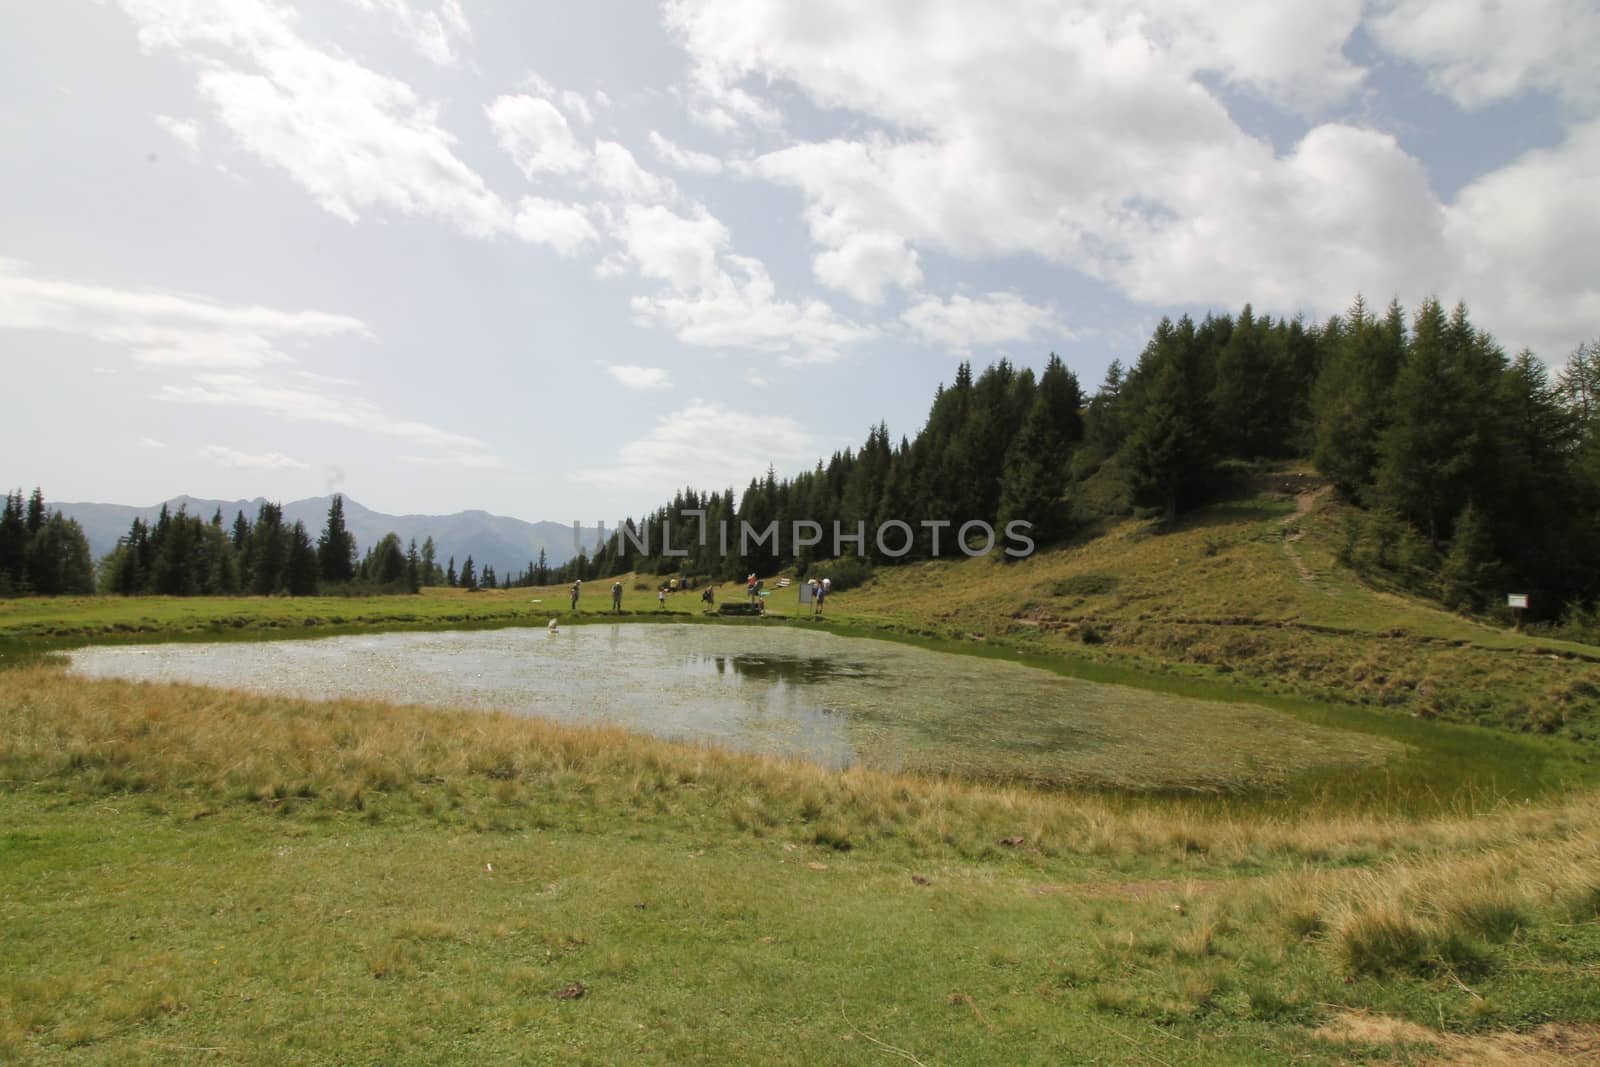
554,260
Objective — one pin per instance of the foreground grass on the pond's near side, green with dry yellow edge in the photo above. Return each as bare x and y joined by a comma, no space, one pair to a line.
378,884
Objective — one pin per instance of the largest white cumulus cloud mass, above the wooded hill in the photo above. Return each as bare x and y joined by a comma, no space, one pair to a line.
1100,137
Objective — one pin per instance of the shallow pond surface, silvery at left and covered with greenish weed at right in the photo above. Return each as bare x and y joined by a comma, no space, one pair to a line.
818,697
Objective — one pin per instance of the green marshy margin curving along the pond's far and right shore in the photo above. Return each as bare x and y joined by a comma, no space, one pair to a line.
1447,767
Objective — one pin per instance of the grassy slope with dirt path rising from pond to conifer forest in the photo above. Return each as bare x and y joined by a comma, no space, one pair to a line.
1250,593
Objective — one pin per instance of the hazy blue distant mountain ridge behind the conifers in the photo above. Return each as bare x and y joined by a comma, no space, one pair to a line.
506,545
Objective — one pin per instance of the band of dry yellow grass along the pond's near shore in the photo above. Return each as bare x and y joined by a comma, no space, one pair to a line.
215,746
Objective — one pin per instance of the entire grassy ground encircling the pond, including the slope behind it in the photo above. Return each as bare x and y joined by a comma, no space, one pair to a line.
207,876
